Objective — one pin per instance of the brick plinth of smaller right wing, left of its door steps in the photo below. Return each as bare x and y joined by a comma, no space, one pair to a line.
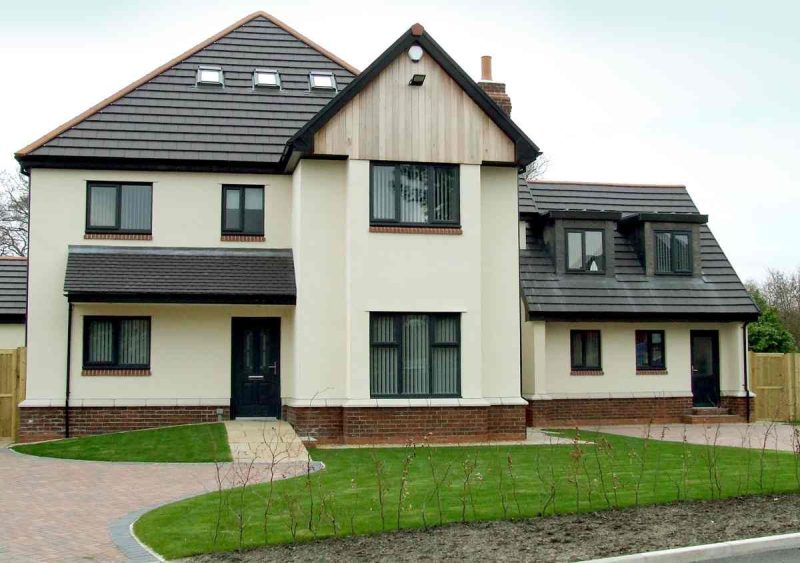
572,412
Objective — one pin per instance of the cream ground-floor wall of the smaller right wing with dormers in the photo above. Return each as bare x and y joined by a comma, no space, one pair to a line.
619,361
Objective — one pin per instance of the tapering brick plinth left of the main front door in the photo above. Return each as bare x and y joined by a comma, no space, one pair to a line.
47,423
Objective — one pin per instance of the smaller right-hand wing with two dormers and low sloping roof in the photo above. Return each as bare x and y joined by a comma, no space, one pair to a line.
632,311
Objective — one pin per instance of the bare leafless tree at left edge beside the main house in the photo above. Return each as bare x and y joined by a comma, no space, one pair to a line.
14,213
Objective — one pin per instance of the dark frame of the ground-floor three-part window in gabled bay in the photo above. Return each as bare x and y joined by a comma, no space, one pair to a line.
398,345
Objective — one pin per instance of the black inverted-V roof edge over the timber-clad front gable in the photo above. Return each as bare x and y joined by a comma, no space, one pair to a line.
526,150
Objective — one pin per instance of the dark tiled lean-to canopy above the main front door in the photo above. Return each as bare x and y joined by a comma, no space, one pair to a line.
103,274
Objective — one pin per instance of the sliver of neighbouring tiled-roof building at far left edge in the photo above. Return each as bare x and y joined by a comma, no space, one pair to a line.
13,289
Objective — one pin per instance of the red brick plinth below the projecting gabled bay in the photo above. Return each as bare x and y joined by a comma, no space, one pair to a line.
368,425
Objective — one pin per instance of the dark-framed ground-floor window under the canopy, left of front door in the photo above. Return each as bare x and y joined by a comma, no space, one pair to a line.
116,342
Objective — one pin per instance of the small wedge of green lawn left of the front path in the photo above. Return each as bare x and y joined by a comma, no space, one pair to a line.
190,443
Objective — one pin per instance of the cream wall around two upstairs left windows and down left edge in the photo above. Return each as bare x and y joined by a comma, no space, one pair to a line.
186,212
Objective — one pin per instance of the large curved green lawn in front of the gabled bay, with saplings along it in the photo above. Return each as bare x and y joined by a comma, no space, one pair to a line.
507,482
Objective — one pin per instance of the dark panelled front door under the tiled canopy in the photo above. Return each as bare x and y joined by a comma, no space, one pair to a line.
256,373
